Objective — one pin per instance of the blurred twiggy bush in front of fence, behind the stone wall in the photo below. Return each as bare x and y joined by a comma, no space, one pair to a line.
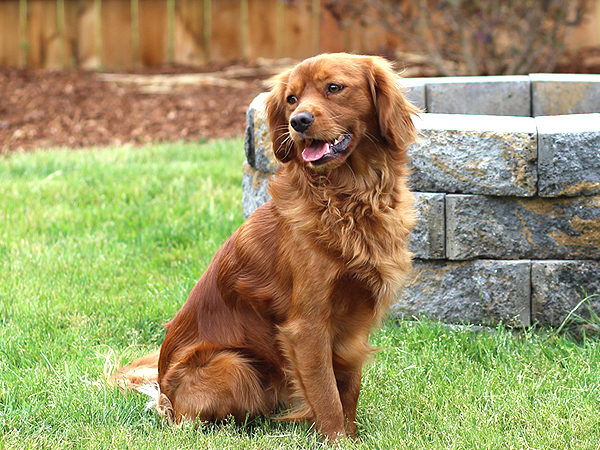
473,37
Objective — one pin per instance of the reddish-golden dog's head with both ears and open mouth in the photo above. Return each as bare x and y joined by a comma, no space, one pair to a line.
326,107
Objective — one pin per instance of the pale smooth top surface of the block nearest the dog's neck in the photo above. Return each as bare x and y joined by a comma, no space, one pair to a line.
476,123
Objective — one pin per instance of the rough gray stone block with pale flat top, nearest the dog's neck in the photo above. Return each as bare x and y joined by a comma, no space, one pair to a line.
489,155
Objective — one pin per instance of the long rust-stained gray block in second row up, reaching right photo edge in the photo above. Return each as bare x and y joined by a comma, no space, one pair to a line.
519,228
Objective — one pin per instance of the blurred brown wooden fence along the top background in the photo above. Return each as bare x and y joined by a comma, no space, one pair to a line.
124,34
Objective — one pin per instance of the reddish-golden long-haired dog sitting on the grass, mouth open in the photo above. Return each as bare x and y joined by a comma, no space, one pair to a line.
279,323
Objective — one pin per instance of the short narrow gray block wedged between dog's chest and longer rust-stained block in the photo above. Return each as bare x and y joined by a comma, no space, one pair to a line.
428,239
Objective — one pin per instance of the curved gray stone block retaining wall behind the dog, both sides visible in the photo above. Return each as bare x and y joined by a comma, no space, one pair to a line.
507,180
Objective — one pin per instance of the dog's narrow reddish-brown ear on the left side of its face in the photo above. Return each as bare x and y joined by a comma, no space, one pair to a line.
278,124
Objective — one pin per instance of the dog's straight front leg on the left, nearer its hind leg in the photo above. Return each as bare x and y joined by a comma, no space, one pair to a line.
308,345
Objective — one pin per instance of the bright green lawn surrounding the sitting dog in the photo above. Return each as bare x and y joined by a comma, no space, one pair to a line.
98,248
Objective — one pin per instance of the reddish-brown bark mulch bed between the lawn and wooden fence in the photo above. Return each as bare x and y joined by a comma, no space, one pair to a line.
42,109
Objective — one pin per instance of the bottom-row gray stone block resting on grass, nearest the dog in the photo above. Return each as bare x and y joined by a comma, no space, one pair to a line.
478,292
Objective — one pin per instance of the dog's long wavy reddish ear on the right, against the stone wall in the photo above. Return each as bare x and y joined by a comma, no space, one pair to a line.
394,112
